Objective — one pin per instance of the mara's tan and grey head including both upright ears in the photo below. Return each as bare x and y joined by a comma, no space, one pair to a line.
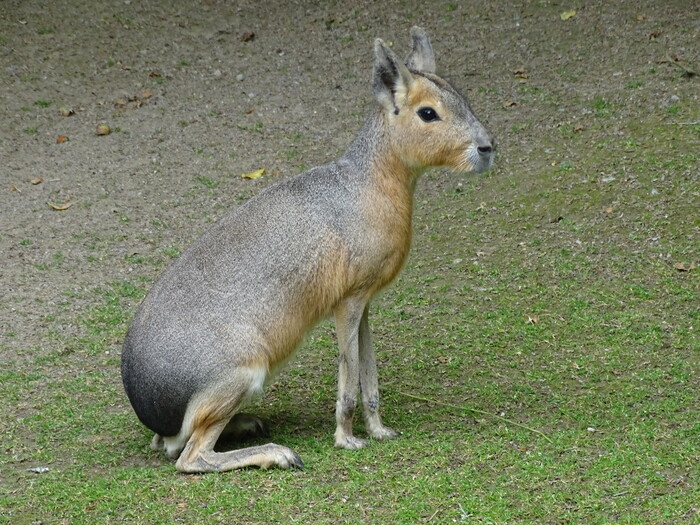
431,122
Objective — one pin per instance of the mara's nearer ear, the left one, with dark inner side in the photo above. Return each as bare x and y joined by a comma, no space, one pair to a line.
391,77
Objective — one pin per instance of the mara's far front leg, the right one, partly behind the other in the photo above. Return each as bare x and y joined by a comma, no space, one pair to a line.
369,383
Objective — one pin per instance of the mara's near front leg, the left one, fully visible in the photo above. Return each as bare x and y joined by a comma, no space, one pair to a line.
348,316
